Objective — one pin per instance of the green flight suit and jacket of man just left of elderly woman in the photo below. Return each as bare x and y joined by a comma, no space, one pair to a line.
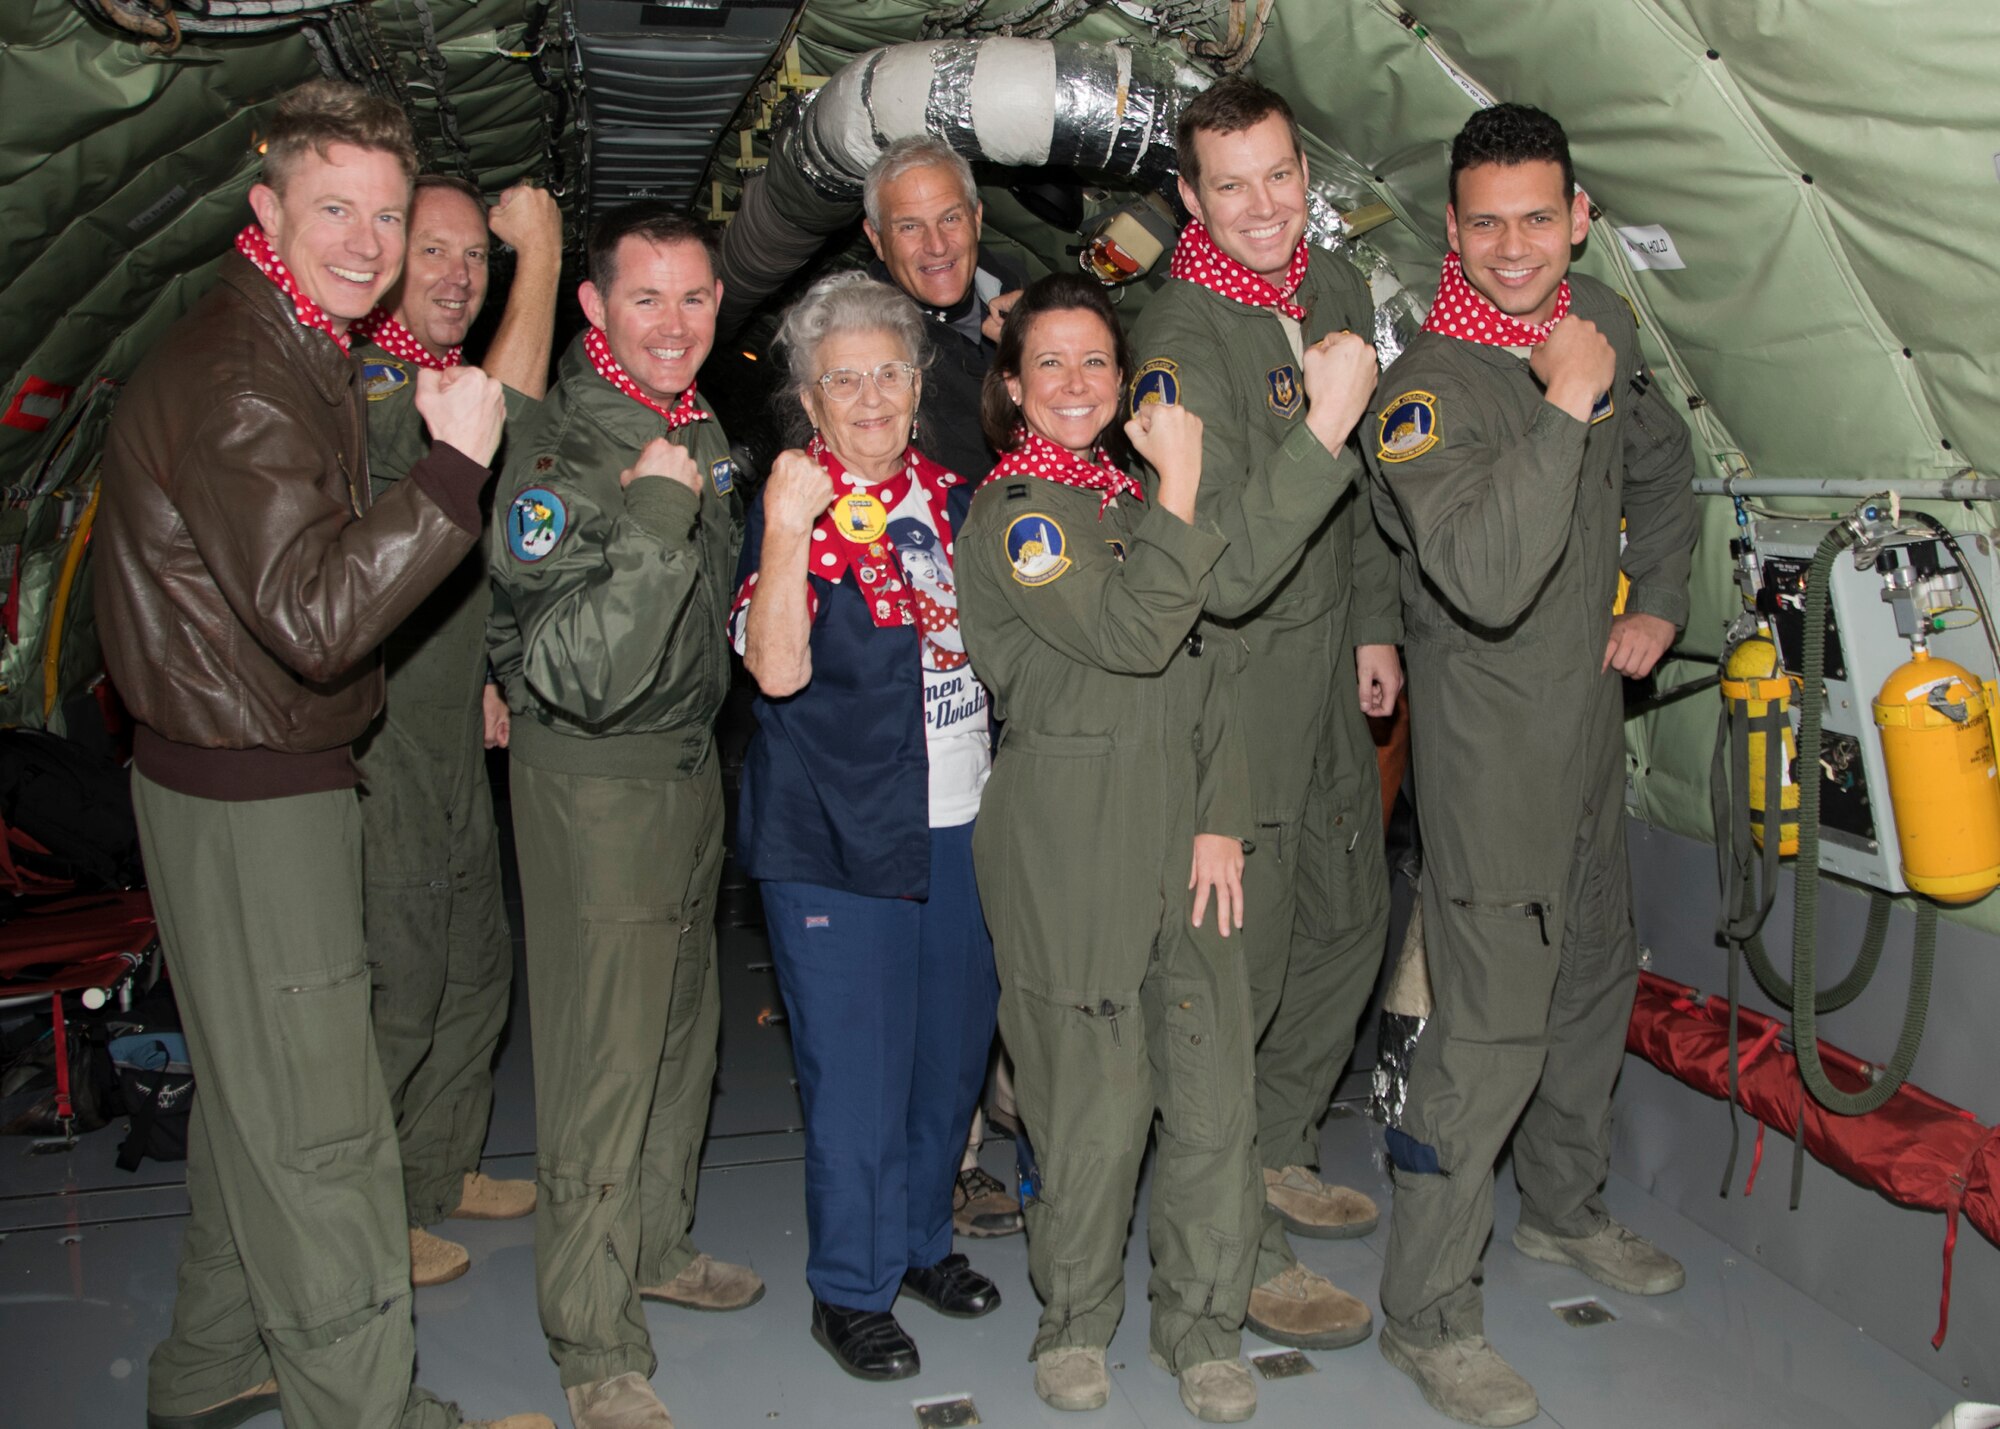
609,637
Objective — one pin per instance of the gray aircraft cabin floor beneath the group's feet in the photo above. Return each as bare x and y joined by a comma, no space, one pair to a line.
89,1254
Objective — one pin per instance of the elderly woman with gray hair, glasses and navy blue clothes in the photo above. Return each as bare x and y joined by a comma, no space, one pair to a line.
859,798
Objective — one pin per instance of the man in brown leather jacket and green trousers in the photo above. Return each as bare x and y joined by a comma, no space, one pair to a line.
245,579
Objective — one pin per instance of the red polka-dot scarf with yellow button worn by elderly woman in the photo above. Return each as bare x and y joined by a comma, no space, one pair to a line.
853,539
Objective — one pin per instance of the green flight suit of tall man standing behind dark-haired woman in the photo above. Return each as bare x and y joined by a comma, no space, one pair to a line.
1317,892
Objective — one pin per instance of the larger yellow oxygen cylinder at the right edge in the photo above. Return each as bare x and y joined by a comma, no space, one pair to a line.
1939,748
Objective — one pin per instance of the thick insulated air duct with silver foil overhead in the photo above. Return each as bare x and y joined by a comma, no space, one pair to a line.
1035,103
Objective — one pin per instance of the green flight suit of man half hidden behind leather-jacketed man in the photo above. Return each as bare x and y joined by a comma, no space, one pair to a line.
439,946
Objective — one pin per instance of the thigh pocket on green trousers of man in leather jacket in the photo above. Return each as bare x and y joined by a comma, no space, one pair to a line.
321,1022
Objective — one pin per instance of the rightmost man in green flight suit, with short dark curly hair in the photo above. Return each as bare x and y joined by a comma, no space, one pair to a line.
1513,437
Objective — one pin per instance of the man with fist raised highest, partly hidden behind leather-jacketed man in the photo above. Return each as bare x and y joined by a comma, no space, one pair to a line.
439,946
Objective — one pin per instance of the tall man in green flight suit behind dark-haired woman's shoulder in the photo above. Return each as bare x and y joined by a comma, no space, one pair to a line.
1227,335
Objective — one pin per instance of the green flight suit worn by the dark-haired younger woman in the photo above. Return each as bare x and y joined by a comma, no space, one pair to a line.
1117,752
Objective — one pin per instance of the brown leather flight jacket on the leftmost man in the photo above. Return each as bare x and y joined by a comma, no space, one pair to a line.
243,575
